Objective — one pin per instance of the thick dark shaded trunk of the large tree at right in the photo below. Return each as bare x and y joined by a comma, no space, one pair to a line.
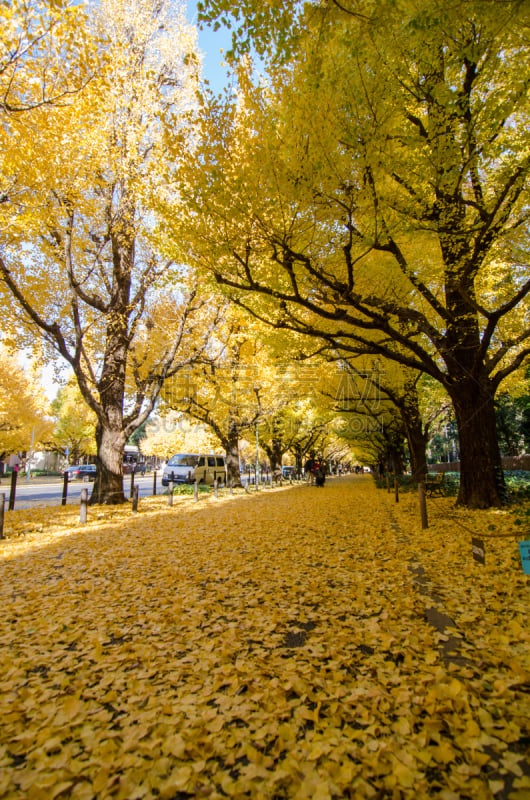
481,474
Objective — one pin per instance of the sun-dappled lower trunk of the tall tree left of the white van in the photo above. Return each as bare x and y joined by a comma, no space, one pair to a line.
108,486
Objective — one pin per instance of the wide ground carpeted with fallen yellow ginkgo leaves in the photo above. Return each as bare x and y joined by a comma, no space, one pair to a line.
280,645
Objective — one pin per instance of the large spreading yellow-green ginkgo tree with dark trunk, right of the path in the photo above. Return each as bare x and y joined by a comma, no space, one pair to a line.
373,193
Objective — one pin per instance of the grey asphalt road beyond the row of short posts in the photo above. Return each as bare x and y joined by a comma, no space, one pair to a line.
35,492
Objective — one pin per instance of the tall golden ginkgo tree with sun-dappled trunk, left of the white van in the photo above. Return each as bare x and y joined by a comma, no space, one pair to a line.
77,254
